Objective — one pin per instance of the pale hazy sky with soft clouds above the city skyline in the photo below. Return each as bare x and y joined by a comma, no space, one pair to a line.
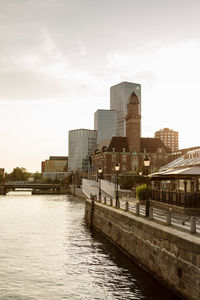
59,58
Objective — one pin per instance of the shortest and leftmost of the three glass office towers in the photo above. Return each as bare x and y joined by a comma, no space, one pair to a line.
81,144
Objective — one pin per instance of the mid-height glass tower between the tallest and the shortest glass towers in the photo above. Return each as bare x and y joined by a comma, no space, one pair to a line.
105,124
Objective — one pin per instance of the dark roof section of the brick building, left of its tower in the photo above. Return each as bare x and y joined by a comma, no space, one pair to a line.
116,143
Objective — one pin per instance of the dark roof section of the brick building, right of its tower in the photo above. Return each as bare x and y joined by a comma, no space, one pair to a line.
152,144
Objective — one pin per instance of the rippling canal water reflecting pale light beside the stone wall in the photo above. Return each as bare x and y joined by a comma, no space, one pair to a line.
48,253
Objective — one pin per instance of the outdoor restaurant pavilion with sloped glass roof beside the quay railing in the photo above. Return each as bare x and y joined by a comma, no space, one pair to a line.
177,185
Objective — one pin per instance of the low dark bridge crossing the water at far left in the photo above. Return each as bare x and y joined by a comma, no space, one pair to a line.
35,188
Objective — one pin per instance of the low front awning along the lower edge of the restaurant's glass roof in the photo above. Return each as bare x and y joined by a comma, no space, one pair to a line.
181,173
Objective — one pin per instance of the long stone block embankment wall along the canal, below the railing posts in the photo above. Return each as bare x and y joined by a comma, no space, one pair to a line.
172,256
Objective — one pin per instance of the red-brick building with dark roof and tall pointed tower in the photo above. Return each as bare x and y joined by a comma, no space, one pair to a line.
129,151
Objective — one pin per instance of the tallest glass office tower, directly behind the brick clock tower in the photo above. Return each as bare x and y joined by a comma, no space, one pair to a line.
119,95
